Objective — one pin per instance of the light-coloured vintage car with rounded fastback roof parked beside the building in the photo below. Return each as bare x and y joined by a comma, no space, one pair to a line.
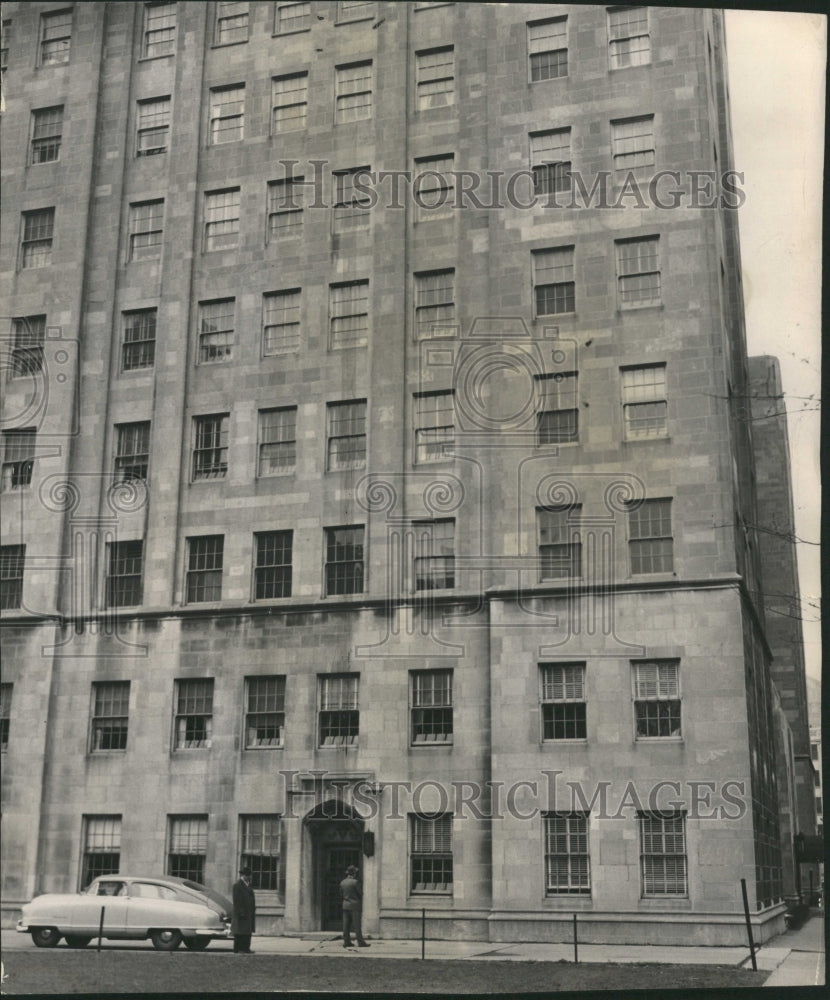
167,910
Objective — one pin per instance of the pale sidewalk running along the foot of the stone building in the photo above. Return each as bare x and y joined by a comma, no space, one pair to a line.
795,958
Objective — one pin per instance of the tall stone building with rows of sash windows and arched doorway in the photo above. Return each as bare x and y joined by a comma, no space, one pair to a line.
378,479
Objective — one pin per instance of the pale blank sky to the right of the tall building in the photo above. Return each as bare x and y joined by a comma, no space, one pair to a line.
776,63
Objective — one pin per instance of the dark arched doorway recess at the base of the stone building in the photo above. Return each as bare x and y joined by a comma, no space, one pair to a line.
336,833
